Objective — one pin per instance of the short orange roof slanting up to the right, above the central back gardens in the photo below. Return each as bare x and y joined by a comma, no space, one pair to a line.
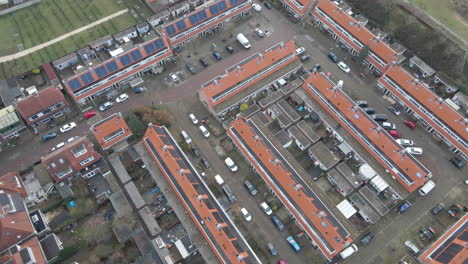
213,93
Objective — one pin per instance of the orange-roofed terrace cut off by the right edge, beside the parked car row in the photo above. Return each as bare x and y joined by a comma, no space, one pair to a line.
439,118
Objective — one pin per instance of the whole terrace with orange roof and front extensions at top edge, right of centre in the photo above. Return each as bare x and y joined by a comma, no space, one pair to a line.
351,31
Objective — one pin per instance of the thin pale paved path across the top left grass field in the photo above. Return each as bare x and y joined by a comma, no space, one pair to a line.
55,40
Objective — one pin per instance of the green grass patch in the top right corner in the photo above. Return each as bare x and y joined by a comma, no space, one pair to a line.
443,11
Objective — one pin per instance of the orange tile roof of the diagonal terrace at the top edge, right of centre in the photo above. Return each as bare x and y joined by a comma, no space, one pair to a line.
361,33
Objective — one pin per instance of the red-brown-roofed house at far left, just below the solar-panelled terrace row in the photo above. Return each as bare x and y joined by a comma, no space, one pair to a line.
42,107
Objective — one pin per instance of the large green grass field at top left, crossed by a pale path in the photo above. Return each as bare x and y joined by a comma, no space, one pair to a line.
52,18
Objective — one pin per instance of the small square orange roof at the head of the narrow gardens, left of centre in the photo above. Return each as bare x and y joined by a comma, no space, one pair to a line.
111,130
